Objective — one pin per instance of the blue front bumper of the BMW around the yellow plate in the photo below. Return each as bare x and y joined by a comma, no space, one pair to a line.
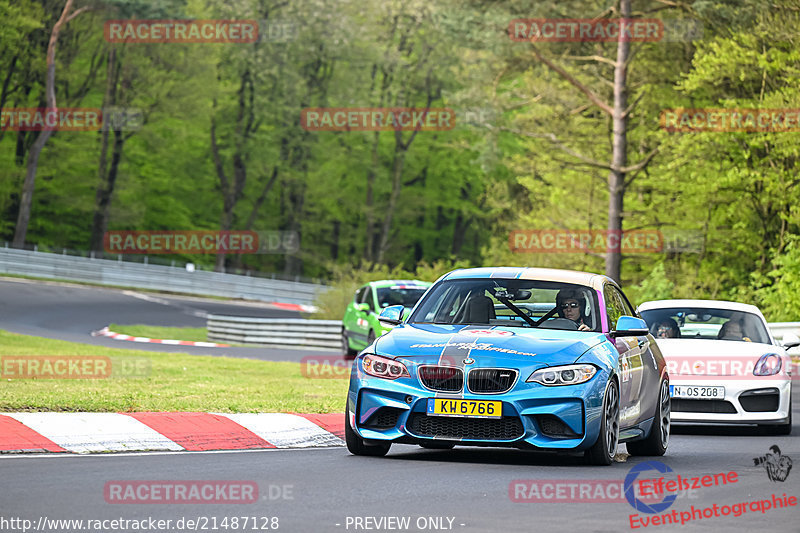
534,415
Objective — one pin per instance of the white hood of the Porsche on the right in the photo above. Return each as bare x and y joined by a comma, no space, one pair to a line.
695,357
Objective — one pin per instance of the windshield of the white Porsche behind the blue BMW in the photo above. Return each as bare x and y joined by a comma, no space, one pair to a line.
706,323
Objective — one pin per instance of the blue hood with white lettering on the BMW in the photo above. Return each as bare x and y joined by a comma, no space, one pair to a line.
430,342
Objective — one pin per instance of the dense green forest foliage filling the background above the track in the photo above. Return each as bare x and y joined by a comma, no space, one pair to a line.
221,146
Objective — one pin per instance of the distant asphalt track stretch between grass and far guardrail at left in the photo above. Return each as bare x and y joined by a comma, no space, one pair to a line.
71,312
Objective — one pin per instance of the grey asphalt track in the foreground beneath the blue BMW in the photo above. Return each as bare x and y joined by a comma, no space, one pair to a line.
313,490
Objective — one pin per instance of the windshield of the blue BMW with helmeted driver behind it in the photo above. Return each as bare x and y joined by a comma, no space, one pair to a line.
508,302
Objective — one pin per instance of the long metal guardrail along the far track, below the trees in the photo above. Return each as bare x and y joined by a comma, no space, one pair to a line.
154,277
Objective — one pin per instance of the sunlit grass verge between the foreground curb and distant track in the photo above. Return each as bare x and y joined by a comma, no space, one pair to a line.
167,382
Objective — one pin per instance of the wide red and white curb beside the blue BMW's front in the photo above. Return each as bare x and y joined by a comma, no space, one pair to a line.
126,432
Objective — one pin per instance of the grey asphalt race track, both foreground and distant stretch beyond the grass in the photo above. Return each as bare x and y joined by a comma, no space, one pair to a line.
327,489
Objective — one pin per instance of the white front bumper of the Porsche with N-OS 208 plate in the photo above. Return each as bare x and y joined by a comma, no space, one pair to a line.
748,401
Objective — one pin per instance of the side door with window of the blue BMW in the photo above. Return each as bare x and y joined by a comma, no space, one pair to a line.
630,358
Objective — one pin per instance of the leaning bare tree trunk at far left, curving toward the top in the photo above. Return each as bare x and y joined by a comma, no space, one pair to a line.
26,199
